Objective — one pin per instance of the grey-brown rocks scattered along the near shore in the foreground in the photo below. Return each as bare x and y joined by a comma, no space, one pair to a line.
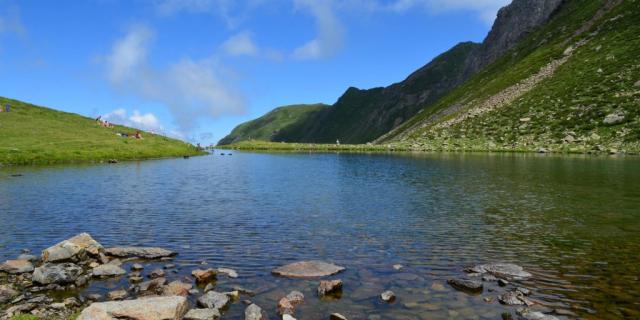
29,285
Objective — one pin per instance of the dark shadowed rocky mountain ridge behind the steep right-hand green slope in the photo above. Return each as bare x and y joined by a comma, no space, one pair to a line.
361,116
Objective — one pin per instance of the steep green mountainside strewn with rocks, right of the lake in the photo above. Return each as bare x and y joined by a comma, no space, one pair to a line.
600,78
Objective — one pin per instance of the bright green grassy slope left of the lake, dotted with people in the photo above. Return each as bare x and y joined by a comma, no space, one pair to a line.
35,135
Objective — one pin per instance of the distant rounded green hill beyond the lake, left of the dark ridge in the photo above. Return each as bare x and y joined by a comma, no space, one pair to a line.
266,127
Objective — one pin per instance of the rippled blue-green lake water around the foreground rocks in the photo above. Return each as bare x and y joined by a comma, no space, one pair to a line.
574,222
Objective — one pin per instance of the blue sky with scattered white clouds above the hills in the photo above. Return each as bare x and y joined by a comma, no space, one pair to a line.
195,69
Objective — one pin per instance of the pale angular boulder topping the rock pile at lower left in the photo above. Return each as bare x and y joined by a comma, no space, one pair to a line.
71,249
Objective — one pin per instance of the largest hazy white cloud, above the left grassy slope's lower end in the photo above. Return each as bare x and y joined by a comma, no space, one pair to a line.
192,89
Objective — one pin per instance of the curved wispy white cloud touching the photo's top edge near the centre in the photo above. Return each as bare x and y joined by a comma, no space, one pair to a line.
330,31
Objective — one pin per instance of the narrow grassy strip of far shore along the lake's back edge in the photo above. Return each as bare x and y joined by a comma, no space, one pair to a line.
459,146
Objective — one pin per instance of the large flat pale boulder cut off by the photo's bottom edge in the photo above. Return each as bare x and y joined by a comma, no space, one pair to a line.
153,308
